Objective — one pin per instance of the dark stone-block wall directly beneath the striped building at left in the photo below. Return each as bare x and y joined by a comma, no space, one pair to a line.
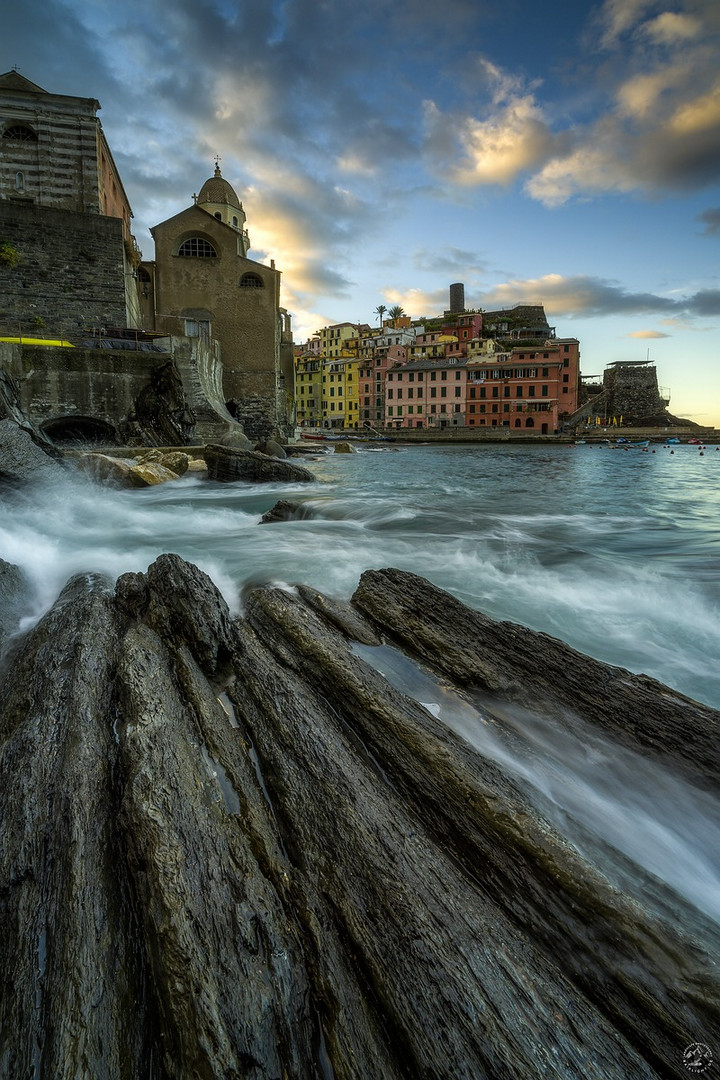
71,273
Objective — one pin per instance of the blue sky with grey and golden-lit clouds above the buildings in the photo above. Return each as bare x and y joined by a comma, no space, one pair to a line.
565,154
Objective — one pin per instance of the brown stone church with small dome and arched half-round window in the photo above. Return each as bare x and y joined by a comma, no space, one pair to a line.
203,286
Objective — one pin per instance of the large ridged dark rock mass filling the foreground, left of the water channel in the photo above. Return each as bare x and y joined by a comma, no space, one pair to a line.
233,849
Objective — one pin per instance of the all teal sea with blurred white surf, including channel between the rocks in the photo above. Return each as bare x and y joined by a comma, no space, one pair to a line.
615,551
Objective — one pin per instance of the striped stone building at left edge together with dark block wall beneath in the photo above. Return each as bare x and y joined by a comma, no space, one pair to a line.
58,179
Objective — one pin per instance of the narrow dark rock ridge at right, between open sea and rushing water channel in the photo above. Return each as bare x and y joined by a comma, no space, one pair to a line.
535,669
